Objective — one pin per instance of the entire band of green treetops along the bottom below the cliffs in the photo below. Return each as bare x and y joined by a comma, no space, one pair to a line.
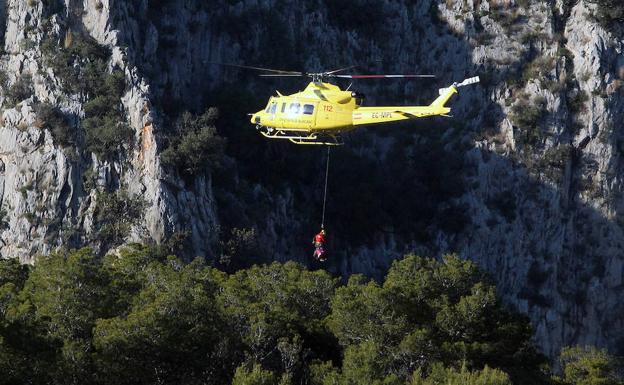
139,316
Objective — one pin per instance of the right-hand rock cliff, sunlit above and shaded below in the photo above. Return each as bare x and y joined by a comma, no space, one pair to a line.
545,194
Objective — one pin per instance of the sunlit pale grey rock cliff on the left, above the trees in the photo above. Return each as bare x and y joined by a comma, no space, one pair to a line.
46,200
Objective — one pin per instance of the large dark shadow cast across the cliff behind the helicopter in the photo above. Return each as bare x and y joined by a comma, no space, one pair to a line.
417,186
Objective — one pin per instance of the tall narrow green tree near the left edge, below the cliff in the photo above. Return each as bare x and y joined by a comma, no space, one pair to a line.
64,295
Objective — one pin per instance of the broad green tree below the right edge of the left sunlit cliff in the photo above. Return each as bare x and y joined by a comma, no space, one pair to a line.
173,330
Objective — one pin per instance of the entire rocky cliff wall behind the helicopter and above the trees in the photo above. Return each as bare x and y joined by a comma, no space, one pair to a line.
539,141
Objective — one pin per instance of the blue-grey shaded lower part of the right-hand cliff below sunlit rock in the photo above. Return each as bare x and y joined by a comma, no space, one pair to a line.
550,250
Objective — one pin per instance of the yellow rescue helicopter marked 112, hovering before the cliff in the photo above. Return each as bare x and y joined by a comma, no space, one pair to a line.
322,111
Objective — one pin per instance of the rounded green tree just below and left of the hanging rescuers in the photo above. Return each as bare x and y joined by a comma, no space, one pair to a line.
278,313
